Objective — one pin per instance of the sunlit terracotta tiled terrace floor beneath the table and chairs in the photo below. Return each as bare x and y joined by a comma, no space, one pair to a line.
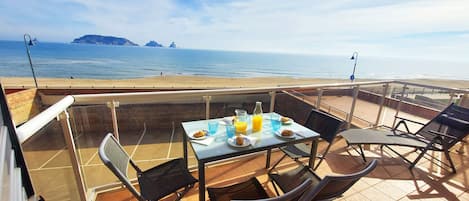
391,180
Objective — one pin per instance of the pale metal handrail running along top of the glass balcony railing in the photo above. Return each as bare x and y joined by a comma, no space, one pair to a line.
33,125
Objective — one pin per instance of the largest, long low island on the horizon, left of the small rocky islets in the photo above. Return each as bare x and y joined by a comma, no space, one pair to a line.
103,40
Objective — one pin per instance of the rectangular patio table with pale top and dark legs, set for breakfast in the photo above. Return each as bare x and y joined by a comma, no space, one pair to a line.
219,149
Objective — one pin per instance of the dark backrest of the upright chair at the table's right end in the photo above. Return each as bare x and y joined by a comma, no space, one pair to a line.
325,124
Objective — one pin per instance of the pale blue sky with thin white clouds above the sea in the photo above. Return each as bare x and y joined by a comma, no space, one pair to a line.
389,28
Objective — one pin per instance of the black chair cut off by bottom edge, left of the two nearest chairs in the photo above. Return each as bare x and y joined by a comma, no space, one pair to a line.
253,190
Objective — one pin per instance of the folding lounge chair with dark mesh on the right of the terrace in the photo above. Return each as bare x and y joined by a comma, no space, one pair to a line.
440,134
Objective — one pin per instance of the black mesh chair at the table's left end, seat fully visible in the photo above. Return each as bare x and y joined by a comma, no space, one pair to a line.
155,183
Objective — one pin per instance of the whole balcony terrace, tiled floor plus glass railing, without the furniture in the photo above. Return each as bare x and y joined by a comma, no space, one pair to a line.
62,154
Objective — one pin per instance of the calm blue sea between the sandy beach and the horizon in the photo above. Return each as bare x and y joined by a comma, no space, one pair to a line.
65,60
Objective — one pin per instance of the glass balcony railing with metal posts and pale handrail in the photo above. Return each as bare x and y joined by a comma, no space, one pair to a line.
62,154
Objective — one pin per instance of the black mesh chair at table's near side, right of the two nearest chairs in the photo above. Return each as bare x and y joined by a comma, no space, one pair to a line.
320,189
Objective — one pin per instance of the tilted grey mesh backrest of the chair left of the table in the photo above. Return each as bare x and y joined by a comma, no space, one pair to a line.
116,159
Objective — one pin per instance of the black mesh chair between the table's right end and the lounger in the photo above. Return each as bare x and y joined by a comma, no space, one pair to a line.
326,125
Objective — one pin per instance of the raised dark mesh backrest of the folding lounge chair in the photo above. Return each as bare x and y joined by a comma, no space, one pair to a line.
453,121
